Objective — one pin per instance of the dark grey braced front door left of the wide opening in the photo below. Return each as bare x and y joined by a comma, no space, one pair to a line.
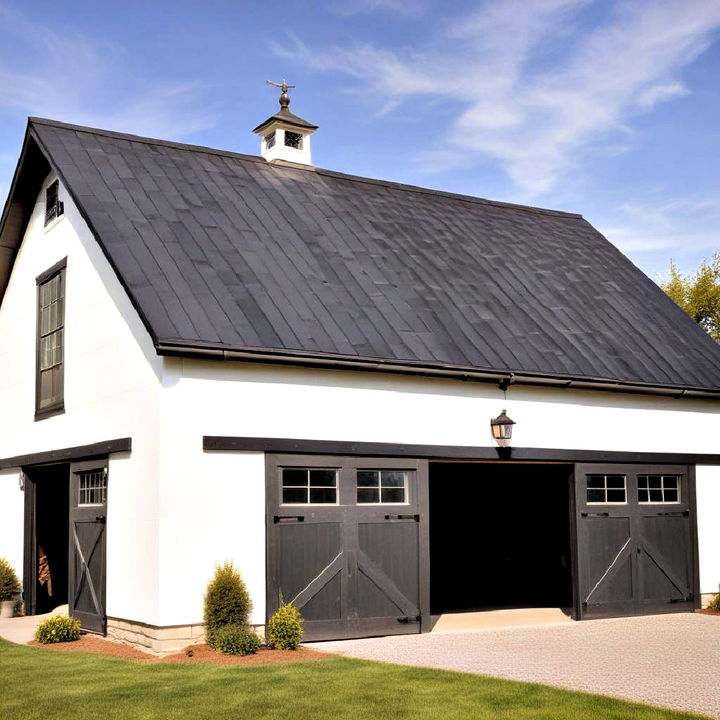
347,543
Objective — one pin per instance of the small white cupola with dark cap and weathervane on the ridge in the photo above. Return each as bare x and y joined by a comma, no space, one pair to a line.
284,135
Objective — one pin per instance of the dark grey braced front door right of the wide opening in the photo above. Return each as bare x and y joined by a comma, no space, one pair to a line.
637,548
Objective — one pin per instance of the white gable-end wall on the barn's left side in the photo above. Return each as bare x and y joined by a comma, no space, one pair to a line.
112,385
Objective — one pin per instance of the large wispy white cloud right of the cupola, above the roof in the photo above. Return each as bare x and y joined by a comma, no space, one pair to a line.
532,87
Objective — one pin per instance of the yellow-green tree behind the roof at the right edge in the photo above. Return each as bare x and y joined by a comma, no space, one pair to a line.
698,295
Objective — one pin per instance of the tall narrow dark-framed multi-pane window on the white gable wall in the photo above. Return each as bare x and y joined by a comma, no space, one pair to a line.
50,341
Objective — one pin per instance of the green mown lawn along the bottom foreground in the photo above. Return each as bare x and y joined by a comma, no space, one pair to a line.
37,683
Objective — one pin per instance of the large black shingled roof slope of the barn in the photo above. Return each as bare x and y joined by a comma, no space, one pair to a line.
222,250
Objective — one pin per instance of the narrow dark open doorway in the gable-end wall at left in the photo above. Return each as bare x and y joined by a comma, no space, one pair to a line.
49,546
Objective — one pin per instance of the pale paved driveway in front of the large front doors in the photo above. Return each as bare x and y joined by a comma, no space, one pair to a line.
666,660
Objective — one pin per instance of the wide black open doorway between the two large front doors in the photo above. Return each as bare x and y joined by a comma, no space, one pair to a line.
499,536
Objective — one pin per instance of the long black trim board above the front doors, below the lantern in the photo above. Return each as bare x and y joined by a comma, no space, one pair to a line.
449,452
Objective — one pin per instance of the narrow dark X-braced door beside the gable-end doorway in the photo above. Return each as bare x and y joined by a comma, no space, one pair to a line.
88,514
